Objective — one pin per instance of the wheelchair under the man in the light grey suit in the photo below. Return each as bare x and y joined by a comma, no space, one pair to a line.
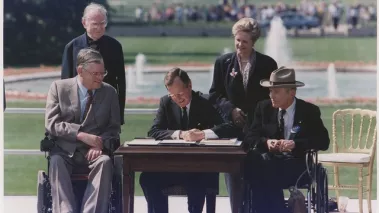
79,181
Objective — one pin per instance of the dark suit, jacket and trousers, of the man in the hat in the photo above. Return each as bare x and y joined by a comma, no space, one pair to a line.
269,173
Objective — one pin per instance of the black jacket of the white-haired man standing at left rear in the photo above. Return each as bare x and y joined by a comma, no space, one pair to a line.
113,56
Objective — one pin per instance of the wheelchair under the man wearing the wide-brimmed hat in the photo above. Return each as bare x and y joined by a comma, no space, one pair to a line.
314,180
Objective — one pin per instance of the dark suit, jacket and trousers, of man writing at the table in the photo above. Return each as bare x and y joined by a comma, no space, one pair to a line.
202,116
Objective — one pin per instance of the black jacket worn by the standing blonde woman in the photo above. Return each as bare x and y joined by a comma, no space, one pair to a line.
227,92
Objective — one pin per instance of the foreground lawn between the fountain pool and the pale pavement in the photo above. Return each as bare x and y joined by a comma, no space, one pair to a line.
21,171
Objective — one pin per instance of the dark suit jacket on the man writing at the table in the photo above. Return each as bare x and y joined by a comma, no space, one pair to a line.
202,115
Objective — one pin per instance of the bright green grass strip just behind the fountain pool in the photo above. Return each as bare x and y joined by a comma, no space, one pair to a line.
162,50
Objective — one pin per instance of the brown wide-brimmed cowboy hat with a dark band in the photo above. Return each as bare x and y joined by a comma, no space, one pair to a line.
282,77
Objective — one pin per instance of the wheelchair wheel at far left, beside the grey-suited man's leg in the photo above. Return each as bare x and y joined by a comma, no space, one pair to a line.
44,200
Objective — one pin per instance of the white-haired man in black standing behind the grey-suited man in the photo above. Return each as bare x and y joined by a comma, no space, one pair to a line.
94,20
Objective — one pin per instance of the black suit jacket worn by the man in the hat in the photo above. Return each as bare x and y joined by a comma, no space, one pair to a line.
311,134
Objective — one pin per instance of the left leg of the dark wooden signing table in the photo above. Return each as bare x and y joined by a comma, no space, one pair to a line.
128,187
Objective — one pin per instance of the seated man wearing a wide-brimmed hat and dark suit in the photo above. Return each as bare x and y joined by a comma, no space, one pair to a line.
283,128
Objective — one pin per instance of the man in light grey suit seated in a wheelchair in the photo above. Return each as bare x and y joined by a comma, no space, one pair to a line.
82,113
